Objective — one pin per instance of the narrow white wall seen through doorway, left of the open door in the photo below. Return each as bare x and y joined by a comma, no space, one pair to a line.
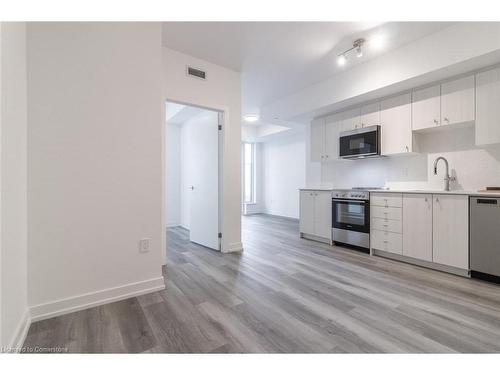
173,174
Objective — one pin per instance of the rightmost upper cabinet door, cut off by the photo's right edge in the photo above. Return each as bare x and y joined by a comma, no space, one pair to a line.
488,107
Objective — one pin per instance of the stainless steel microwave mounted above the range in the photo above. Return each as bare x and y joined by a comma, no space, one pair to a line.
360,143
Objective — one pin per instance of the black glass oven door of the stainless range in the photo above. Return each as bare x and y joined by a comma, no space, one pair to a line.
353,215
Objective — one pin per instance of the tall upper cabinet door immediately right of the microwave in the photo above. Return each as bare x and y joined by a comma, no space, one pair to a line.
395,121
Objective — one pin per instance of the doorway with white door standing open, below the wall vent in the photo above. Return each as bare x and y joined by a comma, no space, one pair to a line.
193,166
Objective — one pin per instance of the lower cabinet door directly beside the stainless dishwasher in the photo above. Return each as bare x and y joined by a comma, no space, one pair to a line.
450,231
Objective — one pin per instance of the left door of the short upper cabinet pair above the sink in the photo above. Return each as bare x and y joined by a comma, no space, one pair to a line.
426,108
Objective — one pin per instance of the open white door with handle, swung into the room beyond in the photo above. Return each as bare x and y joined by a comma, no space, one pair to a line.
204,174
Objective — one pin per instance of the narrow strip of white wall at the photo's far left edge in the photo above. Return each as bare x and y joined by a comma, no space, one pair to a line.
13,189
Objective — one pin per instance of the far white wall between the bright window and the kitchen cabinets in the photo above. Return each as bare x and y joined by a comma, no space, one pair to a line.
284,165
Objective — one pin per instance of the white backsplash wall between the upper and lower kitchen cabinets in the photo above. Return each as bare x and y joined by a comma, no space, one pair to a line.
474,167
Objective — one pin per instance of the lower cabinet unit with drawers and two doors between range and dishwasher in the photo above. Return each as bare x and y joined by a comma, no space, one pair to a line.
432,228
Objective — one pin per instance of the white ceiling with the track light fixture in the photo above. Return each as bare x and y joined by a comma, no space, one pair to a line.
279,58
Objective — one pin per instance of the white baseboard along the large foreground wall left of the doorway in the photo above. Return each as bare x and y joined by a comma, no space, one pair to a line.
100,297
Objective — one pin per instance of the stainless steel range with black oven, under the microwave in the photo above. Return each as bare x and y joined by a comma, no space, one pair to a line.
351,217
